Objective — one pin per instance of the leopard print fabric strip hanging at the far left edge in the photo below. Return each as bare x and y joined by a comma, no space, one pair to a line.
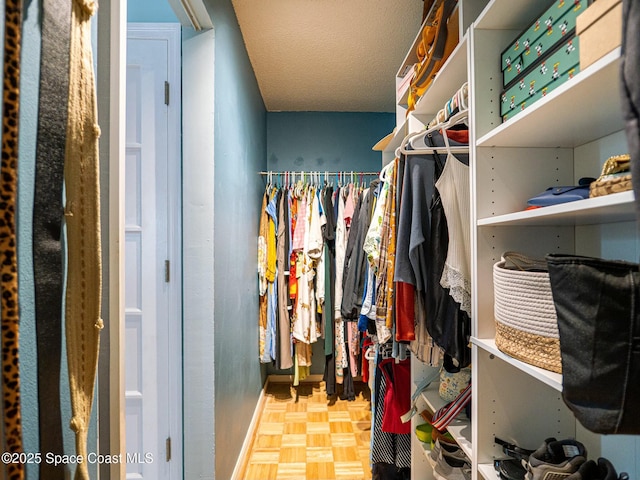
8,257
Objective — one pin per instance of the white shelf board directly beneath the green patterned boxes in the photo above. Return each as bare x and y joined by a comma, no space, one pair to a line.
569,116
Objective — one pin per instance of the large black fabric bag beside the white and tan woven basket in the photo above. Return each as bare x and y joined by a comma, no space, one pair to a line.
598,307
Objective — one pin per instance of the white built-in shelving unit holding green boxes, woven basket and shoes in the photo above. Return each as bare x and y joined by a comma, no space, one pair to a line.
566,135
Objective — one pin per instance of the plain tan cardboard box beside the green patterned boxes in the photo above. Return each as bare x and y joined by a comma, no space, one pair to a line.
600,30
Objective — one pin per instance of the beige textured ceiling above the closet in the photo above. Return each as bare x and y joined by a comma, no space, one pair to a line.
328,55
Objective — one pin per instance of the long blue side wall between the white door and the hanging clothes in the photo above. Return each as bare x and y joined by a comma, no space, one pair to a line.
240,146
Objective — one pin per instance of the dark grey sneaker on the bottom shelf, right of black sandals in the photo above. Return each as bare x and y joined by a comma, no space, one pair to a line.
556,460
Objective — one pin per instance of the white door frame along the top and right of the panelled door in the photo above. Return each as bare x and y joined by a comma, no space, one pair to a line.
171,33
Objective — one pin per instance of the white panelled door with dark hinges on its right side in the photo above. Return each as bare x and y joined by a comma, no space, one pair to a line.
153,355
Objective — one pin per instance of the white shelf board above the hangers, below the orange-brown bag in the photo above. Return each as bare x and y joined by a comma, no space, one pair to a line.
448,80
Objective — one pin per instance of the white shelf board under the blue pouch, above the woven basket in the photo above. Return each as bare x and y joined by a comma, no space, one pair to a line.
616,207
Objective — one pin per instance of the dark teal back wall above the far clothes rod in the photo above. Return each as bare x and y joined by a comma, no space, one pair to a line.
325,141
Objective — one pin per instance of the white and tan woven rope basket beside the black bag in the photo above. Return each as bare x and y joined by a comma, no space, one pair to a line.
526,322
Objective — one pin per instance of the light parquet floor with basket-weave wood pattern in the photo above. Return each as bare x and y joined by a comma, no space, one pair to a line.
304,435
